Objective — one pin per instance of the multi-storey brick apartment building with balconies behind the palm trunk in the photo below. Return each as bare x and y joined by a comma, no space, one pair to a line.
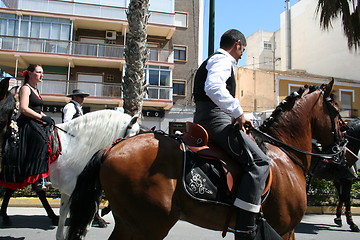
80,44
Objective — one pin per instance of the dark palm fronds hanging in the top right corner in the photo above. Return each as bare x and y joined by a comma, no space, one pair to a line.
350,12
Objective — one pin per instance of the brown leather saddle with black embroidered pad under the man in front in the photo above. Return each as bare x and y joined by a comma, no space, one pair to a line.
210,174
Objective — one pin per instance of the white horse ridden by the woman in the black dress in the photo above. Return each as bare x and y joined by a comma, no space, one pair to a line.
83,137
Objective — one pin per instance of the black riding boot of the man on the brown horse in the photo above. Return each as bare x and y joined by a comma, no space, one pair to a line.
245,228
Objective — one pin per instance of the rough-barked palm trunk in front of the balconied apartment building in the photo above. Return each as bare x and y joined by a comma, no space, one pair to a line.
136,55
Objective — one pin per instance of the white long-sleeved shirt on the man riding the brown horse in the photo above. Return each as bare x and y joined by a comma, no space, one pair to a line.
219,68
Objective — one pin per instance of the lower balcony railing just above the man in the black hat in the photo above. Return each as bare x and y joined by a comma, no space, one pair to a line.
112,90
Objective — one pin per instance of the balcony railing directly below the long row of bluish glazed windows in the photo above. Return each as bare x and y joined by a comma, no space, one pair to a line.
76,48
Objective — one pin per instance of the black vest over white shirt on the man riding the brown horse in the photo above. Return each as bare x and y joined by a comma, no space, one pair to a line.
200,78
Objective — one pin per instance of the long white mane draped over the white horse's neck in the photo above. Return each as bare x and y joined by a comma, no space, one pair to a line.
90,133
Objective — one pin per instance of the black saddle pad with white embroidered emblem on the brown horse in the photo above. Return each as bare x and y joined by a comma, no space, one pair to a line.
205,180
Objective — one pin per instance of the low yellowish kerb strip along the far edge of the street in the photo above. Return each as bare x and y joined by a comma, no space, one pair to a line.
55,202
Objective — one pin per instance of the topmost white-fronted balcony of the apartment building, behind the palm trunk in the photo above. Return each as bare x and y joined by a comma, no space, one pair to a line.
103,15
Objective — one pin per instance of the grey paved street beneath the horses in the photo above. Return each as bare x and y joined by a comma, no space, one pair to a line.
32,224
